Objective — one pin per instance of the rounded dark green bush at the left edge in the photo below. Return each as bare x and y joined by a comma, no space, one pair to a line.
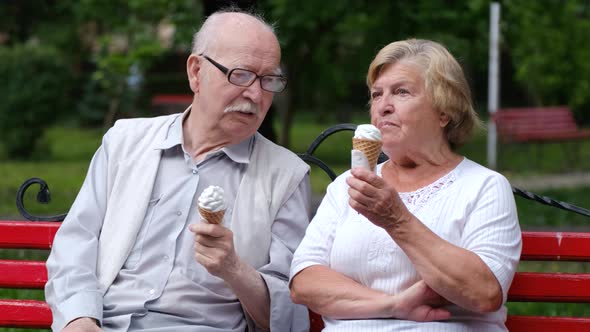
34,91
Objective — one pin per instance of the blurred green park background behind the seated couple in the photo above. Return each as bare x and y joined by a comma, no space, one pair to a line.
69,69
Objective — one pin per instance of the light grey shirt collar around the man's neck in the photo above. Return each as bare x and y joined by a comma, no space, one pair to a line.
239,152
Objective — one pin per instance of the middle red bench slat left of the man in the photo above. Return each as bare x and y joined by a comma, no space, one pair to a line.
22,274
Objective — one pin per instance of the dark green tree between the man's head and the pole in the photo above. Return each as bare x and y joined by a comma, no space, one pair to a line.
327,46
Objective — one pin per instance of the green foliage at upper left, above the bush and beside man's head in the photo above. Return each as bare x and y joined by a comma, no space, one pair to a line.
111,44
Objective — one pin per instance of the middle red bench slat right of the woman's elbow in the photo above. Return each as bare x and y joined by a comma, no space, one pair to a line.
550,287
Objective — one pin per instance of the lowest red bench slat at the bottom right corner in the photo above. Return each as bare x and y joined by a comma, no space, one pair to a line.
547,324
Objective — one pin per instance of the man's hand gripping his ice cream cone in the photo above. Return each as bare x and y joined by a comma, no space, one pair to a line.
214,249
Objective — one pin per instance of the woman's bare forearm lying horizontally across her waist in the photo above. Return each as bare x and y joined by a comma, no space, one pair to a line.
332,294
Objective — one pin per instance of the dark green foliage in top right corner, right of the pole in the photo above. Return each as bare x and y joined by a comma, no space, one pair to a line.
547,42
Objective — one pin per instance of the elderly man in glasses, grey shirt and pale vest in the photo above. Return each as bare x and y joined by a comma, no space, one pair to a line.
133,252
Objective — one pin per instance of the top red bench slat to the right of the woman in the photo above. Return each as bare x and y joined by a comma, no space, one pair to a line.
561,246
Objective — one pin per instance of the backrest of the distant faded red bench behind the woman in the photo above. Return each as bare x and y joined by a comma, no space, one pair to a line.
522,124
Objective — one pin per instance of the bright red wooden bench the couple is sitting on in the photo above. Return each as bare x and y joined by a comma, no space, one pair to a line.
527,286
